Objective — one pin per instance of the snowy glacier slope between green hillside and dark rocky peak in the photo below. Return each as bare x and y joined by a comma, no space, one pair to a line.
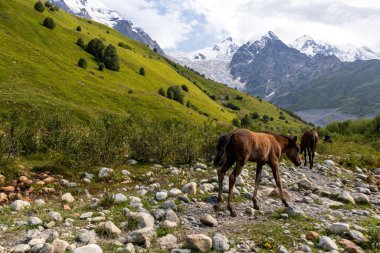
211,61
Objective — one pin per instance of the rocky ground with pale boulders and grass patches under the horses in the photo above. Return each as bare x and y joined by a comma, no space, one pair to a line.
156,208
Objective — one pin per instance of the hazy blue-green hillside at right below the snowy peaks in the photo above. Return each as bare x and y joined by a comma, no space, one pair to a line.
355,89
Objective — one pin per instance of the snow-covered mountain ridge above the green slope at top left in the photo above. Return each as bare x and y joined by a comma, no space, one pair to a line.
98,11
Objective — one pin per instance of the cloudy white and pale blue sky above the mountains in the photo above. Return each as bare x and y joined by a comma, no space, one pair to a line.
187,25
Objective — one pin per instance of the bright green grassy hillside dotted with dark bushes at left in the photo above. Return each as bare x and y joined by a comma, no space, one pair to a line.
38,69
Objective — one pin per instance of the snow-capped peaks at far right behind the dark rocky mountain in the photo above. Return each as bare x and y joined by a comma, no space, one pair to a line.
348,53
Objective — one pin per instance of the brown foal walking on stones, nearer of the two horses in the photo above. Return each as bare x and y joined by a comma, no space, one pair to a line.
263,148
